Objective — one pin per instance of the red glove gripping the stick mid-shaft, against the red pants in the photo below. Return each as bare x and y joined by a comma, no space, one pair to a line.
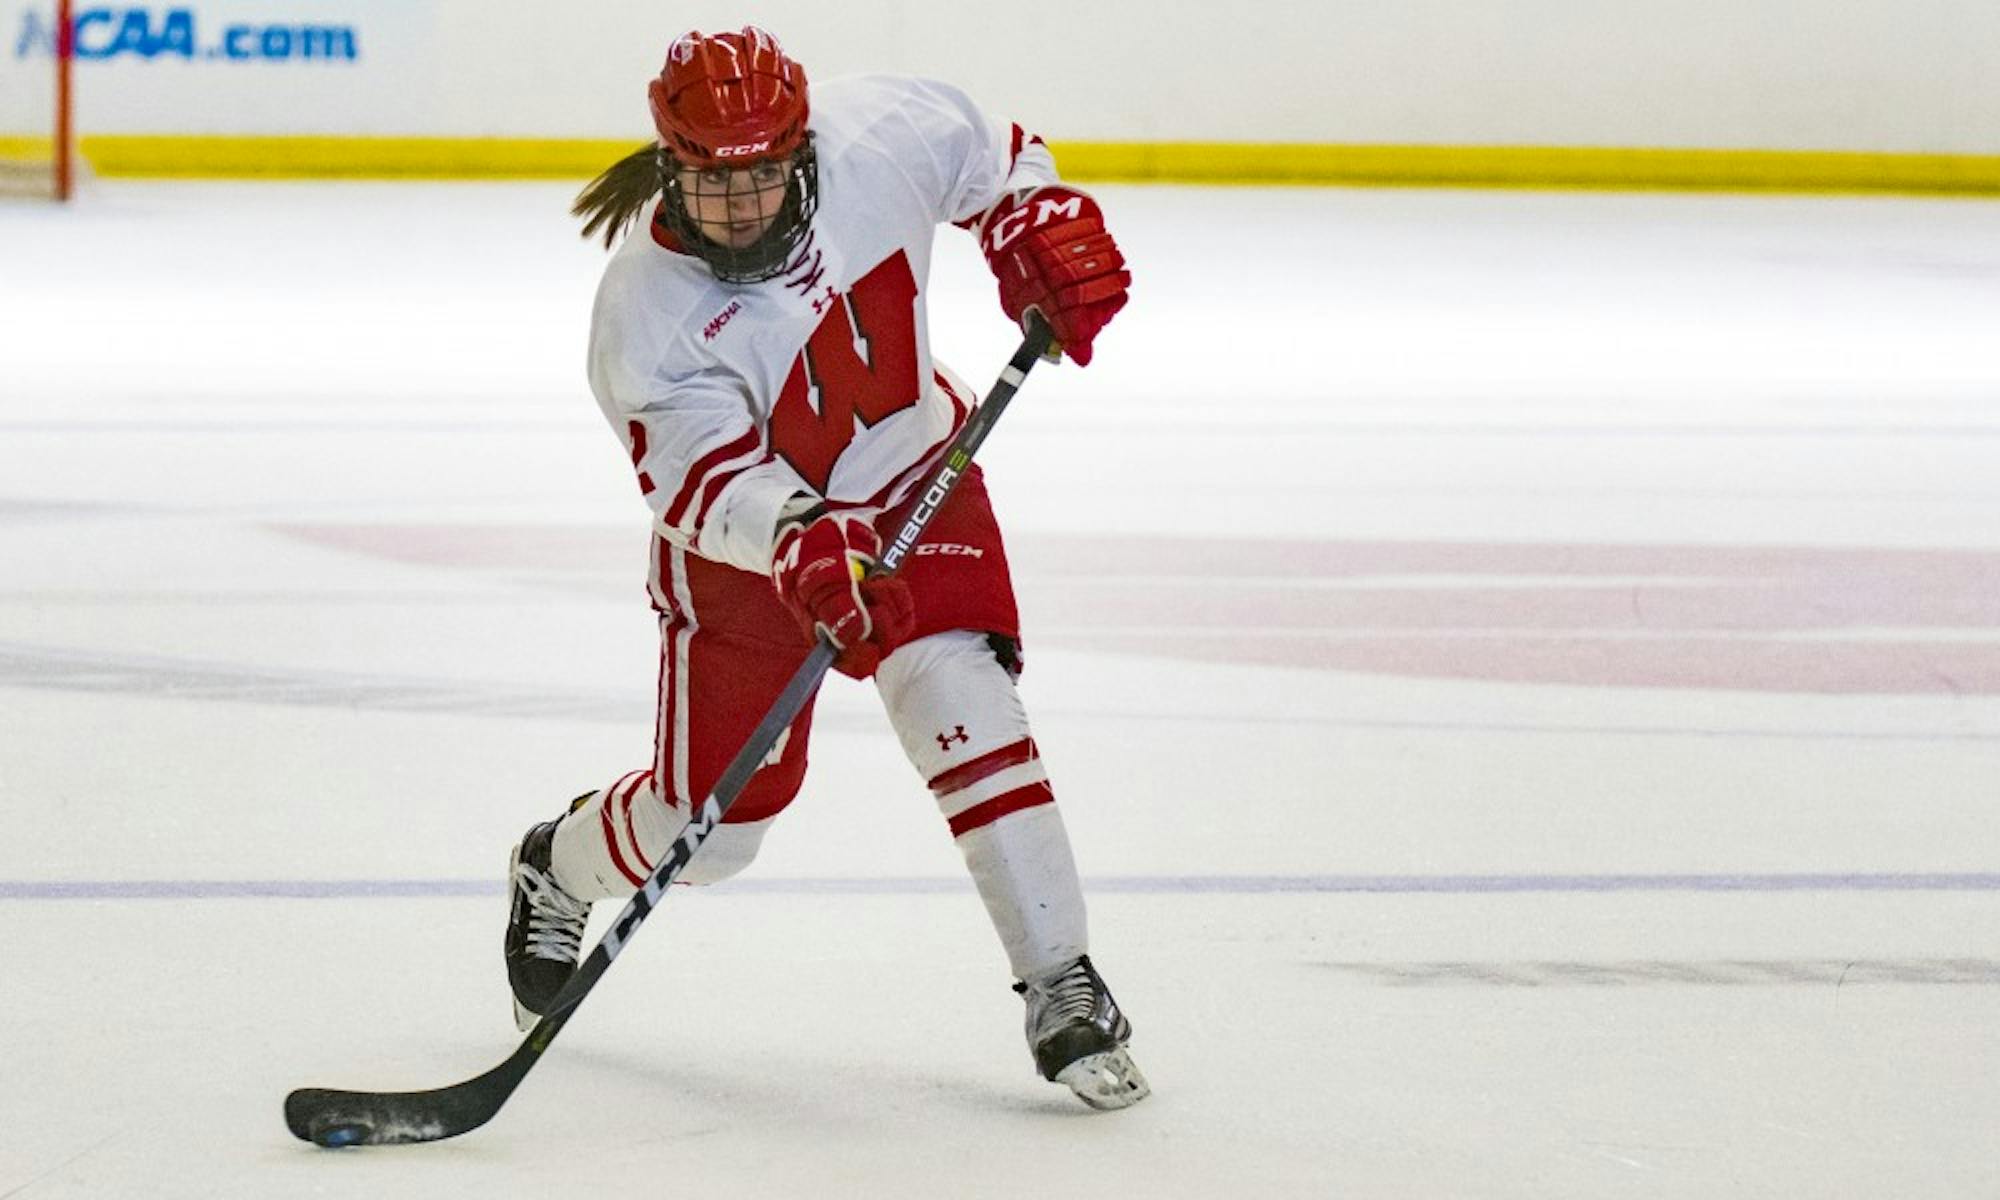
819,571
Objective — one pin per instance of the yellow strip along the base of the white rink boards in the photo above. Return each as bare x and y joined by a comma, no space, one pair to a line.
1171,163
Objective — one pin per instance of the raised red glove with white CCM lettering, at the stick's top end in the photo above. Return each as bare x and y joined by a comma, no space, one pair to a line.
1053,255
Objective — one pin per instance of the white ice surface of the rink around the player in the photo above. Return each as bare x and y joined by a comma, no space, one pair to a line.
317,567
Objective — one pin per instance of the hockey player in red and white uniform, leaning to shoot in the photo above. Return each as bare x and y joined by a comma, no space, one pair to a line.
761,345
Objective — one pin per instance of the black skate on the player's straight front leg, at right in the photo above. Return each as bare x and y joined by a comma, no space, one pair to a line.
1079,1037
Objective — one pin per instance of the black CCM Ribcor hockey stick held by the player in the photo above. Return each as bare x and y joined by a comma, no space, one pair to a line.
383,1119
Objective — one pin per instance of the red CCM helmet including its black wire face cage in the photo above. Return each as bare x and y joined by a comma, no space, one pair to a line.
731,107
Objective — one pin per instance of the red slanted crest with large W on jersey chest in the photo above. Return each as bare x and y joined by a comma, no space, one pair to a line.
857,367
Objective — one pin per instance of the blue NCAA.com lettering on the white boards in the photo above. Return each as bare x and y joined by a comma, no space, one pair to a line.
145,33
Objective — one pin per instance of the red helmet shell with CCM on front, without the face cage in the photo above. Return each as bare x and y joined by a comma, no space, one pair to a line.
729,99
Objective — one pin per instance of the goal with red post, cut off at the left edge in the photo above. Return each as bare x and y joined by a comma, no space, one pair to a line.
37,145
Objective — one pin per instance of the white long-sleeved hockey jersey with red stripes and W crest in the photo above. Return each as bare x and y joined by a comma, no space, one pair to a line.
737,397
